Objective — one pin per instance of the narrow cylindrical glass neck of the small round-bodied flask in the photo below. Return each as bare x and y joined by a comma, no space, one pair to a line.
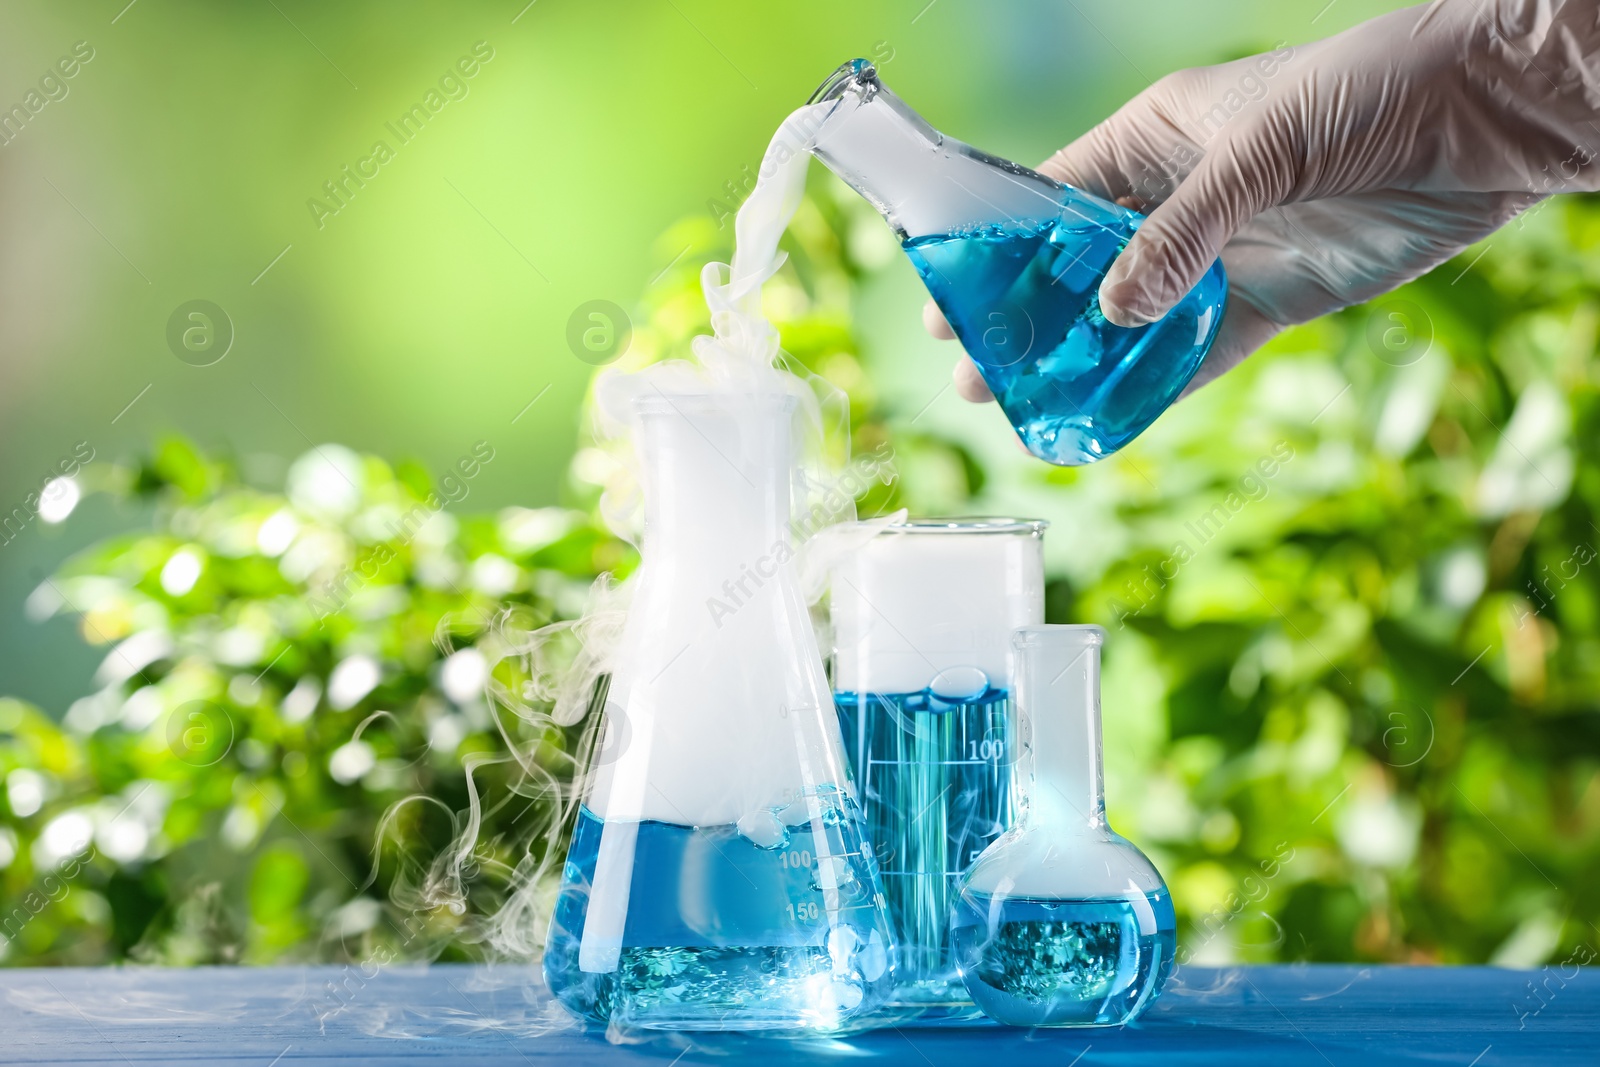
1060,727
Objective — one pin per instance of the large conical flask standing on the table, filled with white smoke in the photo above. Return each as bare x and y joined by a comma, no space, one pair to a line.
719,877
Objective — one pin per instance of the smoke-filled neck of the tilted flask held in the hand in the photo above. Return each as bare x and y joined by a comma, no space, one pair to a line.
921,182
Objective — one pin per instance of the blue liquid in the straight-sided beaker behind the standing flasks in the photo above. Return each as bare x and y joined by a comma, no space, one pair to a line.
935,783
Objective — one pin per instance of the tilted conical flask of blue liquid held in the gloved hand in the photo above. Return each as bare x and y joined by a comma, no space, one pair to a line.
1015,262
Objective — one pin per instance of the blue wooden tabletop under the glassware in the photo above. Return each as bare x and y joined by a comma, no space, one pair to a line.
1326,1017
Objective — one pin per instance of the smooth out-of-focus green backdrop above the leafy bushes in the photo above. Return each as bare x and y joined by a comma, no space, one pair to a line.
436,305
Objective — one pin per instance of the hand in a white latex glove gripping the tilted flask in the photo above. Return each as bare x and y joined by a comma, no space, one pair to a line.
1330,174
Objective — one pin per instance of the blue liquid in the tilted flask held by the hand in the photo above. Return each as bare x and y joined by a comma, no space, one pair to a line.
1025,303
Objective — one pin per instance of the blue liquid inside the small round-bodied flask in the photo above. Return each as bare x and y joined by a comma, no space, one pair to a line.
1033,962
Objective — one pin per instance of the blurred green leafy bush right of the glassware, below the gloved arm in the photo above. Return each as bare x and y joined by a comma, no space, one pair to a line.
1370,697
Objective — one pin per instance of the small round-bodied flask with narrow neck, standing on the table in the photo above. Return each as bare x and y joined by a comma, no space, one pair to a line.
1062,922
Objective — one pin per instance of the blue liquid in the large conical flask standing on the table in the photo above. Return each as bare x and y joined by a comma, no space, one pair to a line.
772,924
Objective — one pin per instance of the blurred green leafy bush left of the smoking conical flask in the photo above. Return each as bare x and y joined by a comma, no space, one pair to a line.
282,671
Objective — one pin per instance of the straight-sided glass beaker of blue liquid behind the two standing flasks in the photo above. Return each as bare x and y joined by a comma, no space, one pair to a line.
922,621
